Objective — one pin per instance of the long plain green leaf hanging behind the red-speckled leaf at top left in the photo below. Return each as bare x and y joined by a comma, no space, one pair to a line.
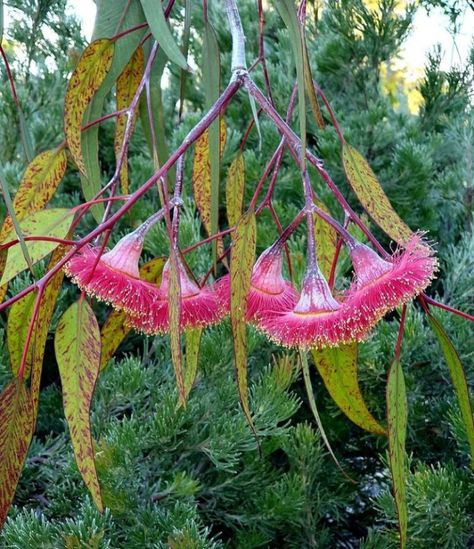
111,17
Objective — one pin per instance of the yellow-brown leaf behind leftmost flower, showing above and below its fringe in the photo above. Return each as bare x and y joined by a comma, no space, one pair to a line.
114,330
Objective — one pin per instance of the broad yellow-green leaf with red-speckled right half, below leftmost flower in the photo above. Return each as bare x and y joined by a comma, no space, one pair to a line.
77,346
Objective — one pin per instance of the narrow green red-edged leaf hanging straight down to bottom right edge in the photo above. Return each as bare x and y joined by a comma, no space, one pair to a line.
397,427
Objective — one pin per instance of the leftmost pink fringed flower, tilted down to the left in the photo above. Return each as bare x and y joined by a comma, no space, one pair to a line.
114,278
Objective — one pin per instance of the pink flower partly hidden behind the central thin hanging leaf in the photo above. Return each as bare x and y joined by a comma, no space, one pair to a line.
269,291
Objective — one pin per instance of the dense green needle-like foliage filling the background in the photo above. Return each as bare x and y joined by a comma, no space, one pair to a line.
195,477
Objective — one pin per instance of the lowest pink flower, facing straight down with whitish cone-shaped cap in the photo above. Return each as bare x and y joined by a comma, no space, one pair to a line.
316,321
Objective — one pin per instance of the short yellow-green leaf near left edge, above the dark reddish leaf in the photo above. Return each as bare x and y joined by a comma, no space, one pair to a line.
17,329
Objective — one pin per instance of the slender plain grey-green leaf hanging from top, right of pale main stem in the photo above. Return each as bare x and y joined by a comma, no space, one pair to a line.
287,11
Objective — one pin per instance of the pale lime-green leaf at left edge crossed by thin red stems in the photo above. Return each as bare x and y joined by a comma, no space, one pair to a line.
52,223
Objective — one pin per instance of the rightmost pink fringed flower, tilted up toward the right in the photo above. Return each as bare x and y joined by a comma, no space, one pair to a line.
381,286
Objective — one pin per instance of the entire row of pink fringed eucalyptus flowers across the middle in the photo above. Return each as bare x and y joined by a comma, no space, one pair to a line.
312,318
